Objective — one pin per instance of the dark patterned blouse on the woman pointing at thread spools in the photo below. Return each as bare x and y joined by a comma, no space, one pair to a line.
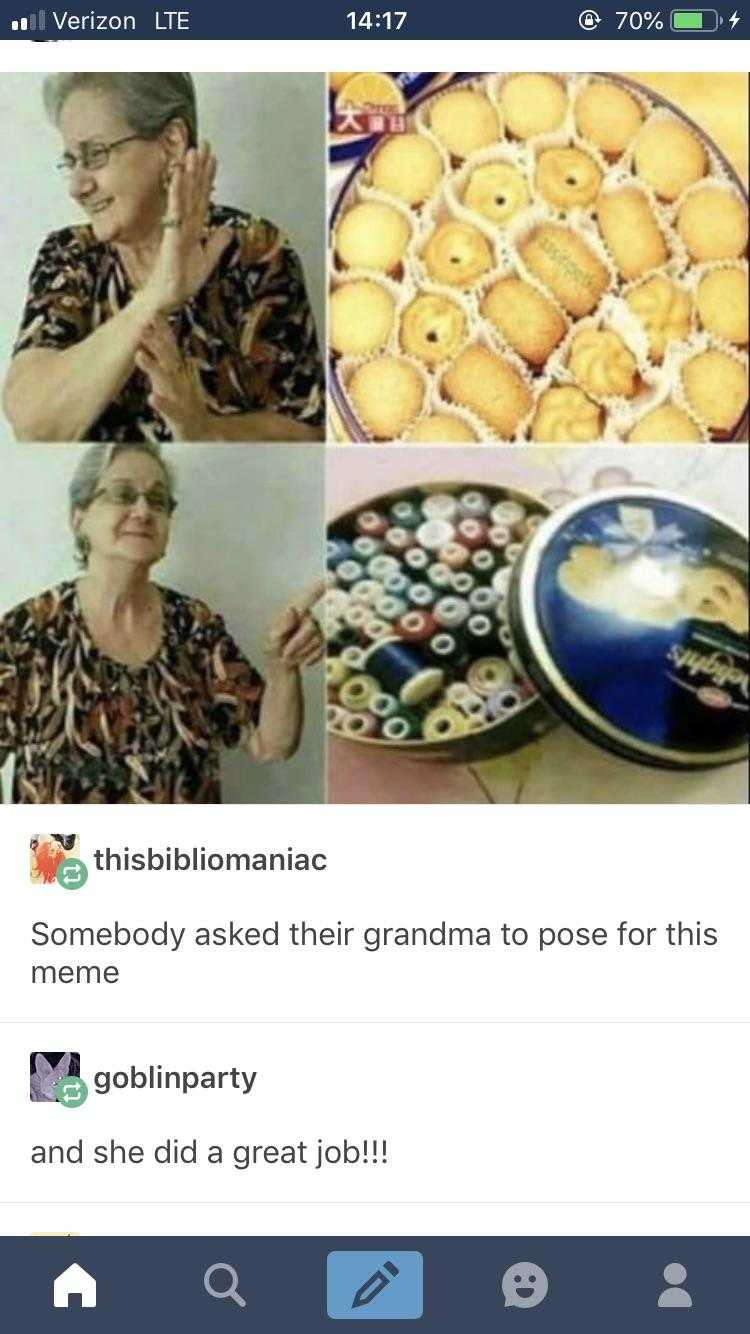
87,729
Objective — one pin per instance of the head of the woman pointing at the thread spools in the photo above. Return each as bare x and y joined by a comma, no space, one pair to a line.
129,516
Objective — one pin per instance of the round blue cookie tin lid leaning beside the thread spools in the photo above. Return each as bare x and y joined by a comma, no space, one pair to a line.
629,612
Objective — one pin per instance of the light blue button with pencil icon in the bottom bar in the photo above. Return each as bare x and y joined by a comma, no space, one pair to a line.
374,1285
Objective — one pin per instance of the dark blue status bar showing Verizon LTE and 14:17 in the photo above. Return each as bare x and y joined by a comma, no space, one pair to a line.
426,21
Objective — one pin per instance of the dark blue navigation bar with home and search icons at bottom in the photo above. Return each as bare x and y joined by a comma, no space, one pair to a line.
596,1285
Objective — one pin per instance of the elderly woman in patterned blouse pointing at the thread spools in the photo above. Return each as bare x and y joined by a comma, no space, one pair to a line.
114,689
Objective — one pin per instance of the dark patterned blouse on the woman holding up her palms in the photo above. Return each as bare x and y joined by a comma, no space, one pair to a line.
249,330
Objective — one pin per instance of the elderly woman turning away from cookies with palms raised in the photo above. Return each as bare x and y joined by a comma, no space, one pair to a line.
165,317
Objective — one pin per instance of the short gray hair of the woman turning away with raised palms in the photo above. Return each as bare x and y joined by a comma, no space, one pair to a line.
149,102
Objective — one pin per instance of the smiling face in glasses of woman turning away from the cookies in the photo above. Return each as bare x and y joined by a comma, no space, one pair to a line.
125,201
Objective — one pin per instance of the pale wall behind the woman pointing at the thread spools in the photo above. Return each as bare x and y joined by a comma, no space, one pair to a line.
248,536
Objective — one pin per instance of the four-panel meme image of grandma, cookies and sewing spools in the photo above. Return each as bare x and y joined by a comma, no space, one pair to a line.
374,438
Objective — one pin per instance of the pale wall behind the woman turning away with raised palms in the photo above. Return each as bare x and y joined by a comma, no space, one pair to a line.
266,129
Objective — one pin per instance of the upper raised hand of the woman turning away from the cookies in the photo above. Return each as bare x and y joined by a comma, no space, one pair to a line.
189,254
